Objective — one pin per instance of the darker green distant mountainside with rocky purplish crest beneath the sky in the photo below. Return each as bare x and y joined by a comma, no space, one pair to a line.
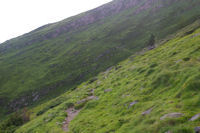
54,58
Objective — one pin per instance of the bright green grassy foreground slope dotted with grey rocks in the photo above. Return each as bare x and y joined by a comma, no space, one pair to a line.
157,91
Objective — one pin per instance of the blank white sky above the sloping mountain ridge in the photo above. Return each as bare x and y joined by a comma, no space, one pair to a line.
21,16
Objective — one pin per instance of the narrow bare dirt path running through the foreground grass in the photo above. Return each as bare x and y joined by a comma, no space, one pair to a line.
72,112
